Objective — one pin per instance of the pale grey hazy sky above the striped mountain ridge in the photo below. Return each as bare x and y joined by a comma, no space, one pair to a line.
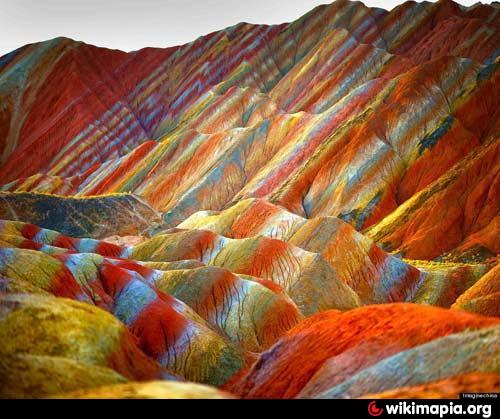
133,24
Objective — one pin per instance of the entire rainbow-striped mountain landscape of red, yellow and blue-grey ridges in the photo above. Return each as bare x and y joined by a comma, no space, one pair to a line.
304,210
